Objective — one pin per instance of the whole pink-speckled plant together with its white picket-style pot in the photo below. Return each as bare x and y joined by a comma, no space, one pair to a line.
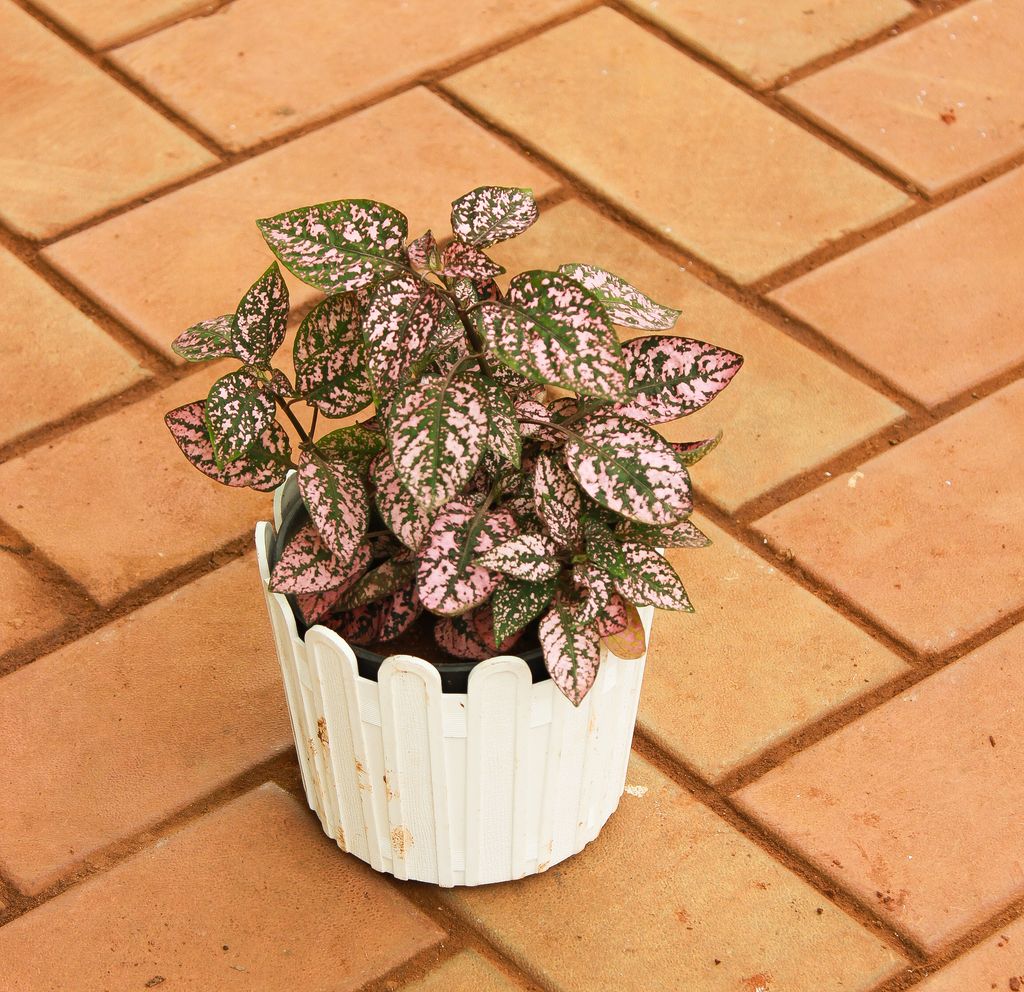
462,577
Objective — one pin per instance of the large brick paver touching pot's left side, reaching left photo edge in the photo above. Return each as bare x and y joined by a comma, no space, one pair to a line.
141,718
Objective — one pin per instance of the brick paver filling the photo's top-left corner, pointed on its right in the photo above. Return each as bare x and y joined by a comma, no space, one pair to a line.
77,143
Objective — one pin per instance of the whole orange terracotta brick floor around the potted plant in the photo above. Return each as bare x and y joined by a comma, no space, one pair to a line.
829,781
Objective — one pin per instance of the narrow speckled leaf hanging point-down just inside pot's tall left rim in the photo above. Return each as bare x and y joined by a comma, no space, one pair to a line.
337,502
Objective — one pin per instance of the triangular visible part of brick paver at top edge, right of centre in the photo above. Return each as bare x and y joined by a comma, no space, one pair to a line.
762,41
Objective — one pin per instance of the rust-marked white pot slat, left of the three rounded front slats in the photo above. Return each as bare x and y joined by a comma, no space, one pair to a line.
343,740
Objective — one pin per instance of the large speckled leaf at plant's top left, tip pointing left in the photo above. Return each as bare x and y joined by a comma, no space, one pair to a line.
339,246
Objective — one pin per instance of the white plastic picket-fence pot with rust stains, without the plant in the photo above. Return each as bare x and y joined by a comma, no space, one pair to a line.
502,782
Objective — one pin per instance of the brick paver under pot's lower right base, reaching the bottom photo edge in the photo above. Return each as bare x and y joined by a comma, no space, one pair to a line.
671,896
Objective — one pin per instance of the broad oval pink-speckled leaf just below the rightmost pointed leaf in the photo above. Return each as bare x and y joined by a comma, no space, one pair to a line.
629,468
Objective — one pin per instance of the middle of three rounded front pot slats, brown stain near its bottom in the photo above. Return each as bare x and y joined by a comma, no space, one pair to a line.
413,729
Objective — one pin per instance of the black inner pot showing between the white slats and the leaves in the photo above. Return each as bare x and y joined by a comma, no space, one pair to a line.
419,641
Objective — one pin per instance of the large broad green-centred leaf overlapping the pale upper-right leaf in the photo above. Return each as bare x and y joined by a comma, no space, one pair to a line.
552,331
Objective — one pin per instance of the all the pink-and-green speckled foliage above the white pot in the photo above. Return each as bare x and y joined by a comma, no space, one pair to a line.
464,490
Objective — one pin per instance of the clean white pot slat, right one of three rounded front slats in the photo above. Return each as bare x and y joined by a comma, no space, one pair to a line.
497,756
